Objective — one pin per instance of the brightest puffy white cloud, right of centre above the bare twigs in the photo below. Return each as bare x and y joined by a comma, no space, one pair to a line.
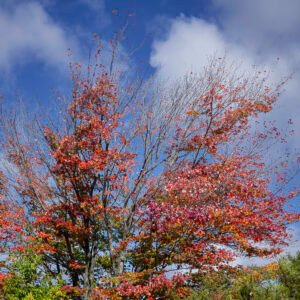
189,45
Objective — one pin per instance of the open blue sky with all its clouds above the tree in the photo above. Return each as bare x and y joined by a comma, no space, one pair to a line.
173,37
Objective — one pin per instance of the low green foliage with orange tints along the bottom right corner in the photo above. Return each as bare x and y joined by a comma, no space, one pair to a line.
272,282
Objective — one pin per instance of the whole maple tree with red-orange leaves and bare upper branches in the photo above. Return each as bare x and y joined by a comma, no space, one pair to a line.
139,191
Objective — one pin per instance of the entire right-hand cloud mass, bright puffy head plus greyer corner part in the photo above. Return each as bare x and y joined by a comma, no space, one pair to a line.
250,33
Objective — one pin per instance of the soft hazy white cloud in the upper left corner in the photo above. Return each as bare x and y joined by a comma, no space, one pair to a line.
27,32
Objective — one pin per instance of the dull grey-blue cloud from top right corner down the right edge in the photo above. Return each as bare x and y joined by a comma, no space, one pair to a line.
268,29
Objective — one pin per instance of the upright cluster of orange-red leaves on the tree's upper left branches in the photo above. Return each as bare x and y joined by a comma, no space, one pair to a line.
86,149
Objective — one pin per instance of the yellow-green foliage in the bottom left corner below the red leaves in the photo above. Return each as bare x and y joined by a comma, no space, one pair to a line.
28,281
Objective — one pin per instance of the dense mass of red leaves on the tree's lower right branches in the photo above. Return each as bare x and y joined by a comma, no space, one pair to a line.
224,203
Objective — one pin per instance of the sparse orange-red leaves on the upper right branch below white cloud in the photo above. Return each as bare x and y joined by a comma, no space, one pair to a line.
220,115
